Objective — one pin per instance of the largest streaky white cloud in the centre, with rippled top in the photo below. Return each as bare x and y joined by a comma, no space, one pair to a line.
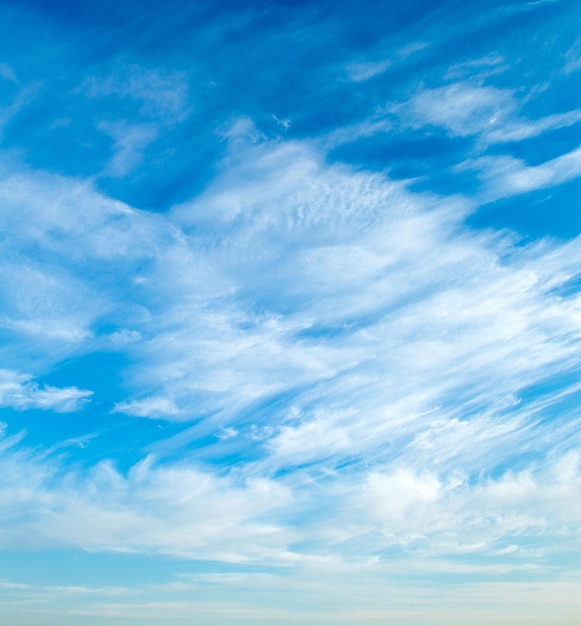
396,249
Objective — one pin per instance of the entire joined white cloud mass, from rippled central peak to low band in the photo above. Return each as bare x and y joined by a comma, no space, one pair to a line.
375,367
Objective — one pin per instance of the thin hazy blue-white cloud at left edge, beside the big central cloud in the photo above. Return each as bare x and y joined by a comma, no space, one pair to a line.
74,251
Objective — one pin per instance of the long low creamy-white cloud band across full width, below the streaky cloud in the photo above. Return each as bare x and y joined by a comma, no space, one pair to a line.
187,511
